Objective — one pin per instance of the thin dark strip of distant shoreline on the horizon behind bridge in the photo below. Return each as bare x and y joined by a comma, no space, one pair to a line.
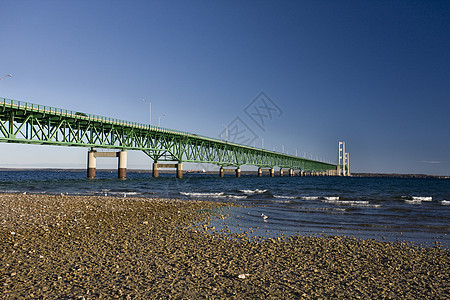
377,175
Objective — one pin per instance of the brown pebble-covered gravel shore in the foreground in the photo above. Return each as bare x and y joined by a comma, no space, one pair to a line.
66,247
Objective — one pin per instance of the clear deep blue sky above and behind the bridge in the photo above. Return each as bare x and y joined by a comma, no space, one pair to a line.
375,74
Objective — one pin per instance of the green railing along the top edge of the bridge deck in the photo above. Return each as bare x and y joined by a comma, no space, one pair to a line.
89,117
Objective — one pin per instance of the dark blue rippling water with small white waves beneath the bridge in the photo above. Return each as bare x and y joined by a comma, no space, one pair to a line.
392,209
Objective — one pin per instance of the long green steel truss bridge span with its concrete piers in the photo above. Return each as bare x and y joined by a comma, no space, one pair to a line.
27,123
